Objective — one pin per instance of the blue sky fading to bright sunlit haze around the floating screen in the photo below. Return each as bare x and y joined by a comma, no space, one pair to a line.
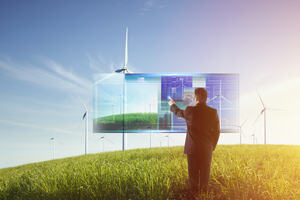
51,50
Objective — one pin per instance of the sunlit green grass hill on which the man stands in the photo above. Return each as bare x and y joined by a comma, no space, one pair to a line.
238,172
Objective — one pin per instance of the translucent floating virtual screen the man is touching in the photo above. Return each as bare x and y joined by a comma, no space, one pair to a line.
137,103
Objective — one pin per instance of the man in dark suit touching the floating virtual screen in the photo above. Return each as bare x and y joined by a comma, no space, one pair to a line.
203,131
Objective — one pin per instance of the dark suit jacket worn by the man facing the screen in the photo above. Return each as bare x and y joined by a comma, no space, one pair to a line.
203,128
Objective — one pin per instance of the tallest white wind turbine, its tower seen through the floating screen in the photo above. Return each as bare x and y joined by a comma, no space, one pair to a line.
124,70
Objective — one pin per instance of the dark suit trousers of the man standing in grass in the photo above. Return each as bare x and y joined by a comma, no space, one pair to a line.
199,167
